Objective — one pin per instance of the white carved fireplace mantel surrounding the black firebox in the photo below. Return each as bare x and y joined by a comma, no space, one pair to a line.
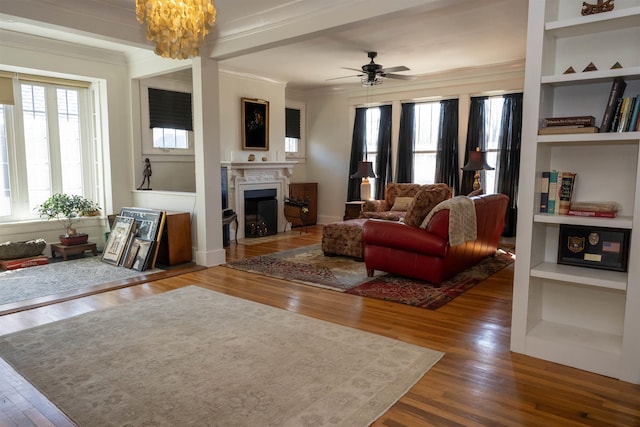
245,176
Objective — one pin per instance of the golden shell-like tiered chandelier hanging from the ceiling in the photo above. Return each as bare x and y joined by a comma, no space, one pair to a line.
177,27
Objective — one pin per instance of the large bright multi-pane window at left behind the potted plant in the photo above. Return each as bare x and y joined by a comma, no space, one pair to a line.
45,147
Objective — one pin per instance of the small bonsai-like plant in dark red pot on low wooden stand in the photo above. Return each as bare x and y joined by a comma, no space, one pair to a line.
67,208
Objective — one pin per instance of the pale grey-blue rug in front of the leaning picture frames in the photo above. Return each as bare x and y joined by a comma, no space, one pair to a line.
59,277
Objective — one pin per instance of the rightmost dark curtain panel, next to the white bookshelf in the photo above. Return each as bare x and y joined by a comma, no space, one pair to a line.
508,167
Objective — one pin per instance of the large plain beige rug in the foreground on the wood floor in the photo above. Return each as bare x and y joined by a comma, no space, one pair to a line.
197,357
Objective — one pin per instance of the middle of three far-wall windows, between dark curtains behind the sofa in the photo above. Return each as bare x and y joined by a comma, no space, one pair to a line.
427,126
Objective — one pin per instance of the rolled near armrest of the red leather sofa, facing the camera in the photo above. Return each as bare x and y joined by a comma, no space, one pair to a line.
398,235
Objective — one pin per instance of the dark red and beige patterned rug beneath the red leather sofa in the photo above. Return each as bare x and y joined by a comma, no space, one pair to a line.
308,265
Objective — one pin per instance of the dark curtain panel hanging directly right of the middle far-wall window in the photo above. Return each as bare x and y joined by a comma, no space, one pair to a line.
447,169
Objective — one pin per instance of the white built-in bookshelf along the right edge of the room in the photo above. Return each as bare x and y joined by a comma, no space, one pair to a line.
583,317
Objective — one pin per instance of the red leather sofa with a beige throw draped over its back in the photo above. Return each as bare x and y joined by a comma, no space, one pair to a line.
425,254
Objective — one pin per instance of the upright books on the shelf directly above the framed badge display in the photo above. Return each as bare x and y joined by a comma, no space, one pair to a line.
556,191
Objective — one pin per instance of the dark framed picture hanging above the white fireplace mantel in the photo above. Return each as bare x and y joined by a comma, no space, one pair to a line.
255,124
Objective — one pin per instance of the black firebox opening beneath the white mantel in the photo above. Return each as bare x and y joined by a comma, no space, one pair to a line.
260,212
